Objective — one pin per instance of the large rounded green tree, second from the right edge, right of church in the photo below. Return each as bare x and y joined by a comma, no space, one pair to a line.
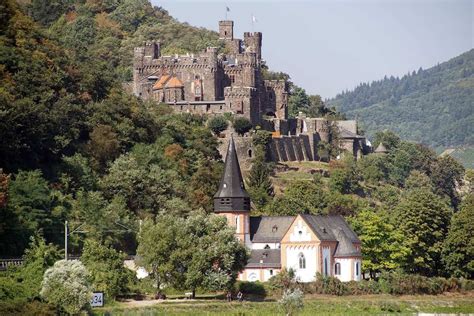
423,218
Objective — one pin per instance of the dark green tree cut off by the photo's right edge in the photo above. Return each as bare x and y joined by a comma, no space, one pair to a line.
458,248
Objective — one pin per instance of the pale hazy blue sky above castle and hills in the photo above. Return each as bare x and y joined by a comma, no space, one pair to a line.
329,46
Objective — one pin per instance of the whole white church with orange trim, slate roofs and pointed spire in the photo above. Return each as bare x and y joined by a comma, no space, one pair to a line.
309,244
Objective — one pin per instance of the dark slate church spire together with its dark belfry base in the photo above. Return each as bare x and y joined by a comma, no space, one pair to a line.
231,195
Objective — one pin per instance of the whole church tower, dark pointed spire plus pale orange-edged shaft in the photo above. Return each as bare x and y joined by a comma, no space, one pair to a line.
231,200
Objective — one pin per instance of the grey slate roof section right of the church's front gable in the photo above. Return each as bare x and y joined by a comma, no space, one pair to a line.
326,227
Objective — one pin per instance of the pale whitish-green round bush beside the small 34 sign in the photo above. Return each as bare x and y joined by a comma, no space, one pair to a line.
66,286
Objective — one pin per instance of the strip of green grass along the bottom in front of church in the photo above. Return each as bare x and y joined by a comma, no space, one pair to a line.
316,305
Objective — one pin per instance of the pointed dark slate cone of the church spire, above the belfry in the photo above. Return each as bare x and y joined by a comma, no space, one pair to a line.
232,183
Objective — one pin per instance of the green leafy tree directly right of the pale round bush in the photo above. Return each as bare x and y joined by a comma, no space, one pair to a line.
106,269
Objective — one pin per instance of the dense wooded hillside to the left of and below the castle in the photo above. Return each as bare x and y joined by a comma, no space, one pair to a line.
76,147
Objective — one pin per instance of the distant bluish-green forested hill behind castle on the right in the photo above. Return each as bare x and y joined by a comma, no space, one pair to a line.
433,106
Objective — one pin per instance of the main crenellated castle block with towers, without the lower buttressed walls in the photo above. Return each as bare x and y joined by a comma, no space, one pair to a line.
212,83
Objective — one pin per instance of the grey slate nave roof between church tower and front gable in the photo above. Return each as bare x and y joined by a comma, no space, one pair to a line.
269,229
